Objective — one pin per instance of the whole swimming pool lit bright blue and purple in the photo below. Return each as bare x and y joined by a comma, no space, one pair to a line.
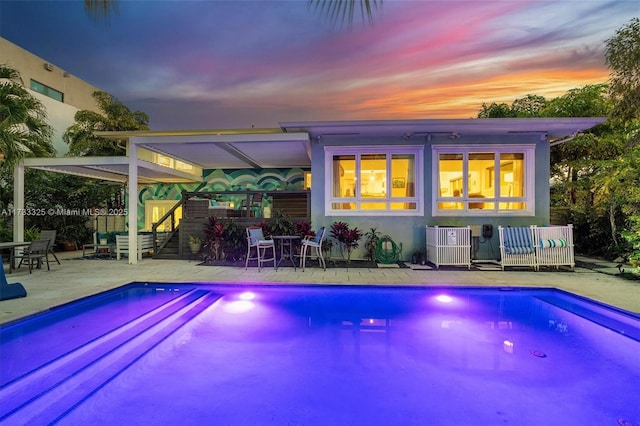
322,355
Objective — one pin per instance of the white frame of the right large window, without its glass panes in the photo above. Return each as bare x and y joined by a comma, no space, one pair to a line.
528,150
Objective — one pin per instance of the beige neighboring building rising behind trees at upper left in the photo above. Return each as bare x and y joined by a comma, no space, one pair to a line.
60,92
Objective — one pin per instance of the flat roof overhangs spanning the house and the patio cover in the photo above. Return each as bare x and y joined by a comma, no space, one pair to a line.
286,147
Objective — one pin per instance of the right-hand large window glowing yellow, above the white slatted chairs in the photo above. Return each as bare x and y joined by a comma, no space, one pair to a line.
483,180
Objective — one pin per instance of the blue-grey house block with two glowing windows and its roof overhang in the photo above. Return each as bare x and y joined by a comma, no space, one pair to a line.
400,176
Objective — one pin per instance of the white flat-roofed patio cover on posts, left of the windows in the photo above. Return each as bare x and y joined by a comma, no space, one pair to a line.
207,149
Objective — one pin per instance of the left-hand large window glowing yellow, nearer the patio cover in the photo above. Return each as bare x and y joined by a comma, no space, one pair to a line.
371,180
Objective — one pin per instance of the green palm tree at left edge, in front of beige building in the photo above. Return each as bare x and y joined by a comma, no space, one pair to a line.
24,131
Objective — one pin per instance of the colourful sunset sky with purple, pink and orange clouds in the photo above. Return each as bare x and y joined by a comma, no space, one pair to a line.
224,64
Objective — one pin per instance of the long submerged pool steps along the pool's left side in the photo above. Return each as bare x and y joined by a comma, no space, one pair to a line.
51,391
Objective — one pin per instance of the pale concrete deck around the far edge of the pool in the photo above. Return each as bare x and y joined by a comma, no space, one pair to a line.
75,278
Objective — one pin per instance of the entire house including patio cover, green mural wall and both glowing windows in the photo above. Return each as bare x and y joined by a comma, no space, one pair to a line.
396,176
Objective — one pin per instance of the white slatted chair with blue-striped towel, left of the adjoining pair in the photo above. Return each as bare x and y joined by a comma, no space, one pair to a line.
517,247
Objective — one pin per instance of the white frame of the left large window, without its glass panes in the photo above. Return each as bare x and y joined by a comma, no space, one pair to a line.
416,150
